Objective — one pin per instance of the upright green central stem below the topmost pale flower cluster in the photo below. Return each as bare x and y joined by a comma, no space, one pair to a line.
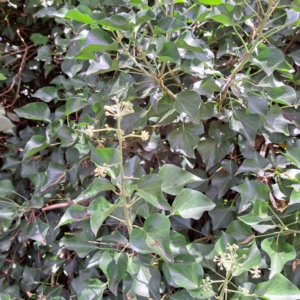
122,185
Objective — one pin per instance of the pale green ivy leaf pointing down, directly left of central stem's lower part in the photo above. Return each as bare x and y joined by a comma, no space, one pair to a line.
99,210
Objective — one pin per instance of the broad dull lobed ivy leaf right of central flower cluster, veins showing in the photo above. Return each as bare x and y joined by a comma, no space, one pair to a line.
184,140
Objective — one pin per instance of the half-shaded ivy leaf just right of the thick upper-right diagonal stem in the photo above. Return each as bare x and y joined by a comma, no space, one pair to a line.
269,59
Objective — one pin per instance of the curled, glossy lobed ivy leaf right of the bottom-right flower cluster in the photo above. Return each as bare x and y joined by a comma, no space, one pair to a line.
280,252
